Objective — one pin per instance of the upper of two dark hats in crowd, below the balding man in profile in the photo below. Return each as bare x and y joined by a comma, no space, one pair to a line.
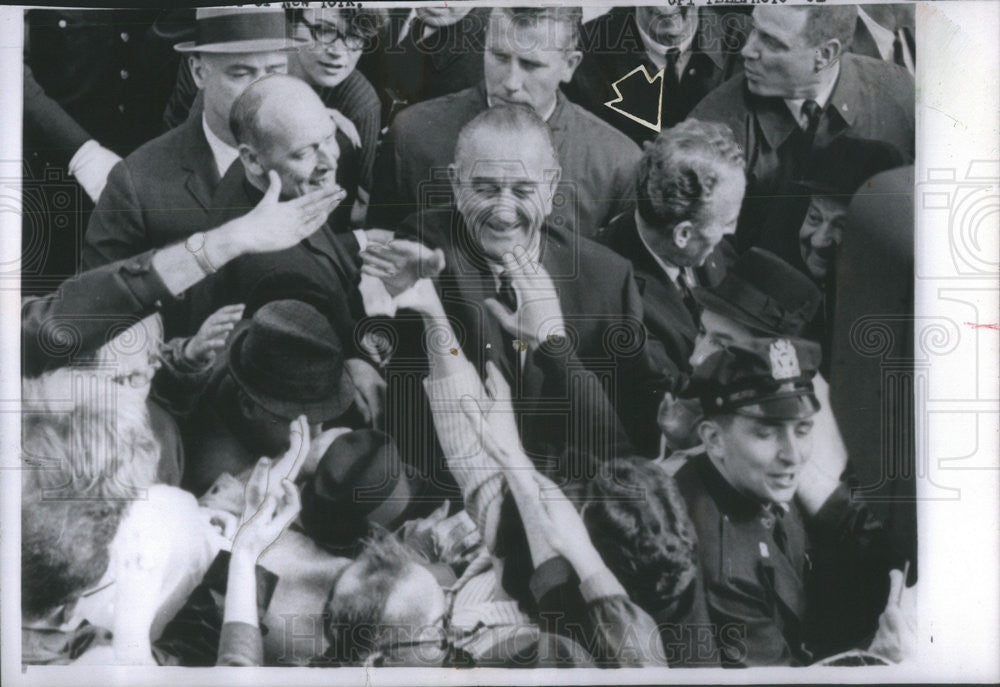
288,359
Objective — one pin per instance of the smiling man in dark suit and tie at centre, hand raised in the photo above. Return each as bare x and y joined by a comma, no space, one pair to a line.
504,177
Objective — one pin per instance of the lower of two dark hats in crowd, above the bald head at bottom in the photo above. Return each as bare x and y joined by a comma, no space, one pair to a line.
360,481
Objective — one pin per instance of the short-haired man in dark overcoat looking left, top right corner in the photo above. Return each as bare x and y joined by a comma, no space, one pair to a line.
802,93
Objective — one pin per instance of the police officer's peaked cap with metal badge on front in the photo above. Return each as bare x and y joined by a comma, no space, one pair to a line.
762,378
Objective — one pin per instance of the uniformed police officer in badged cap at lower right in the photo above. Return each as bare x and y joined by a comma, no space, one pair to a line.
788,579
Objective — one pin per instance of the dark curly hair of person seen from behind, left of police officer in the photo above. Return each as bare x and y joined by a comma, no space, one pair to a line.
638,522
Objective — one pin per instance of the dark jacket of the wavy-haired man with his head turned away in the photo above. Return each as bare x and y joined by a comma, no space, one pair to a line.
667,318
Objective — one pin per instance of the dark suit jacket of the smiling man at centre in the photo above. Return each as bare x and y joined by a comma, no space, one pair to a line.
601,308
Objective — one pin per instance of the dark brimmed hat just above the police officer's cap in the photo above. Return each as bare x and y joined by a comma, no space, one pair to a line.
765,293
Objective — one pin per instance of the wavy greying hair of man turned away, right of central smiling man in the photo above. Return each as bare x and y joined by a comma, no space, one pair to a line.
679,170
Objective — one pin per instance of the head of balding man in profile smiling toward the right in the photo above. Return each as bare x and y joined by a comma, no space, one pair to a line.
299,141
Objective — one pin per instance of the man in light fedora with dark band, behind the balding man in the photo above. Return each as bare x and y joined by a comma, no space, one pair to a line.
162,192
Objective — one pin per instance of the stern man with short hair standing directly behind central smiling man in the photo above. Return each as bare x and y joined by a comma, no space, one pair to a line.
530,52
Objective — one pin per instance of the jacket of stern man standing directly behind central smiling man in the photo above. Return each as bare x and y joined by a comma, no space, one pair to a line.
598,162
